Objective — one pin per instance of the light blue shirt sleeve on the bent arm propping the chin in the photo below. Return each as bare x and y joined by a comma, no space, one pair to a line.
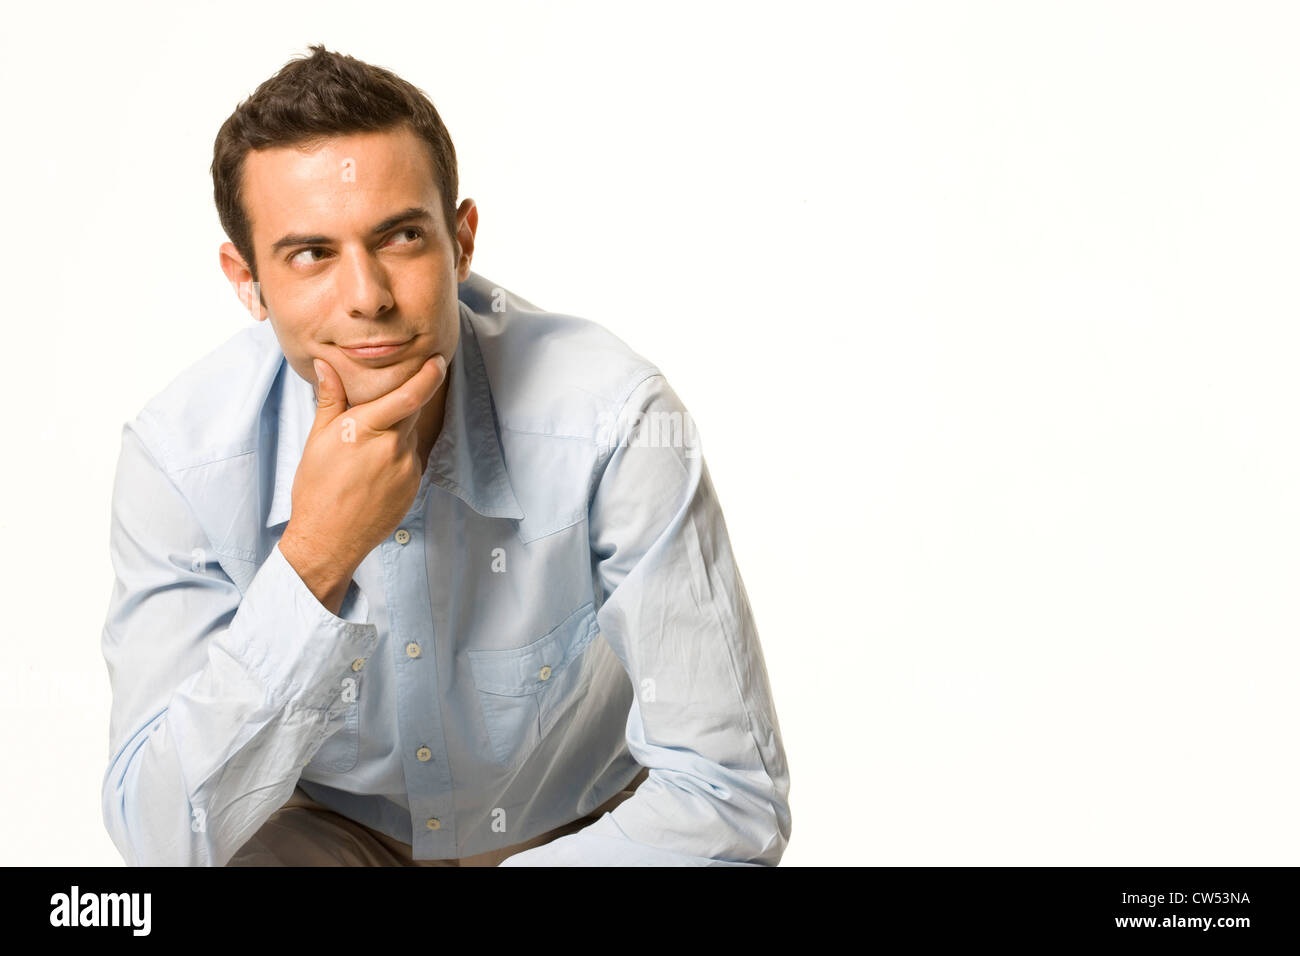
219,698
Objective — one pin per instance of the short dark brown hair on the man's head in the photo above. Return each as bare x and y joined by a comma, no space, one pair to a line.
309,101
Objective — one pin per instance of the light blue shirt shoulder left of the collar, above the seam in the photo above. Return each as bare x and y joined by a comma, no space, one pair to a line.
213,410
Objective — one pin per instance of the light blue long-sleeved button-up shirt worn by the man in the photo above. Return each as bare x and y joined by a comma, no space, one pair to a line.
558,609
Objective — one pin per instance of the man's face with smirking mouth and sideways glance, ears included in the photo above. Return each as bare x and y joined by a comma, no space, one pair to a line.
343,262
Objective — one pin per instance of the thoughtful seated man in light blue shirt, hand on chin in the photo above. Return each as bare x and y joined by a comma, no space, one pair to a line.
411,572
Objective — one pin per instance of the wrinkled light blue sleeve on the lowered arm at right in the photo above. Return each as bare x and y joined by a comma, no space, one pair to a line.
677,615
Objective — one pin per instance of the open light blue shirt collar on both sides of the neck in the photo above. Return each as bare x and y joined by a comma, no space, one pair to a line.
466,460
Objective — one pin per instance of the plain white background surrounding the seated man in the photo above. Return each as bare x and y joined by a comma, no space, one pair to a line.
986,314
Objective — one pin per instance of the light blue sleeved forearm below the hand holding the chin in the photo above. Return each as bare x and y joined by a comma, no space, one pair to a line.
223,754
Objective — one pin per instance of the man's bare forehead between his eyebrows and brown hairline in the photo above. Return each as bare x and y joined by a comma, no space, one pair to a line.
337,184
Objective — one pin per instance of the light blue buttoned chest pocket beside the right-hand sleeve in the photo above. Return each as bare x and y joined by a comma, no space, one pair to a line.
525,691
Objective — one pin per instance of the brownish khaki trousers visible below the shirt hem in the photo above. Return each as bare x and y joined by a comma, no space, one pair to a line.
302,833
